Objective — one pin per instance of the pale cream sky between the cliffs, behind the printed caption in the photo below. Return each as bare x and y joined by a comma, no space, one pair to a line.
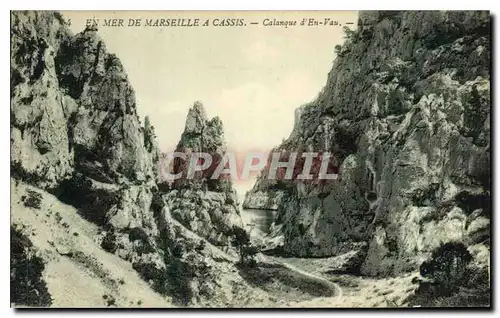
253,77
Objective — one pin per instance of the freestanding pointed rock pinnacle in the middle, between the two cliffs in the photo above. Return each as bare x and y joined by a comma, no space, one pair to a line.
207,207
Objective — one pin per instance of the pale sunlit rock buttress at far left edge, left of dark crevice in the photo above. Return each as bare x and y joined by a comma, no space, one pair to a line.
39,139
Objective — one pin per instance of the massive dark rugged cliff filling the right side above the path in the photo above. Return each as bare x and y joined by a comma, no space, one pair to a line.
406,109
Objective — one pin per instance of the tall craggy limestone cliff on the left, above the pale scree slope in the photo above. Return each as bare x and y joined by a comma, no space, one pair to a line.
75,130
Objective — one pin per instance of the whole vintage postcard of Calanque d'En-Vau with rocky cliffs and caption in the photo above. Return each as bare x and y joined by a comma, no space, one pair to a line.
250,159
